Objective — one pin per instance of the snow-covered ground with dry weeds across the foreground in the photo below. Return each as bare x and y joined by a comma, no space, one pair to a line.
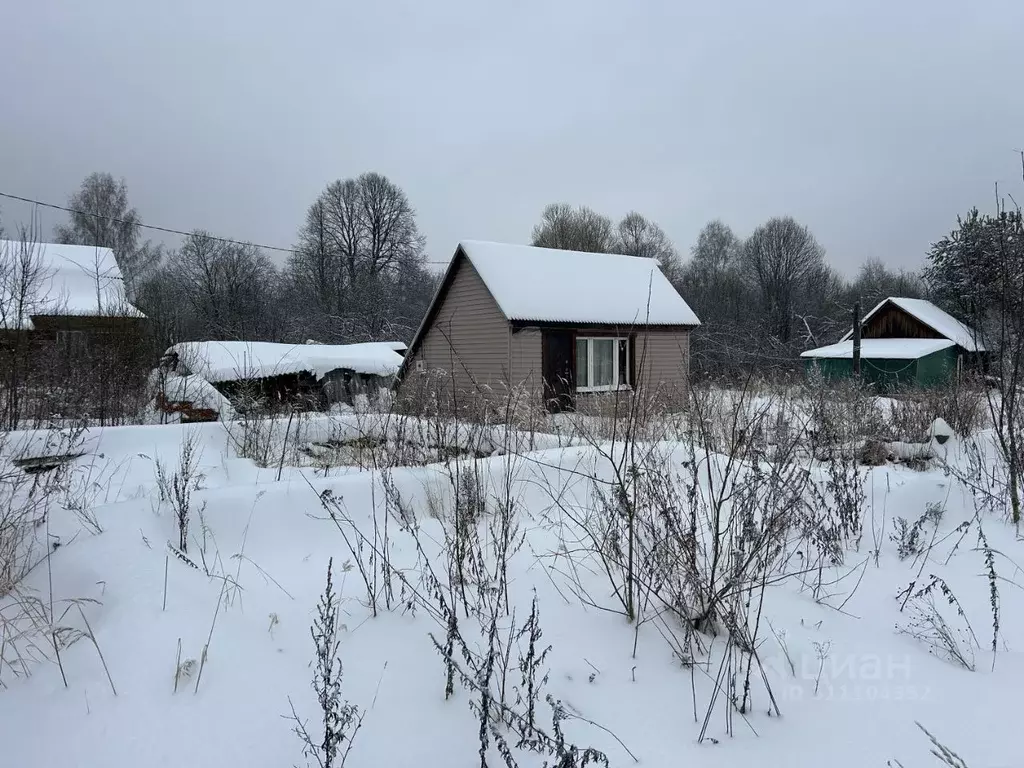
848,684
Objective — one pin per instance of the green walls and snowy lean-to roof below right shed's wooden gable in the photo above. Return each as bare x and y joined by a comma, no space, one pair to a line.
888,364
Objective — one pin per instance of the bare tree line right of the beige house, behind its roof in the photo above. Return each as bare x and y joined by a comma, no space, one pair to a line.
762,300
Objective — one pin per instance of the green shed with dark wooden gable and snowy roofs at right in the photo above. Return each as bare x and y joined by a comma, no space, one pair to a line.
905,343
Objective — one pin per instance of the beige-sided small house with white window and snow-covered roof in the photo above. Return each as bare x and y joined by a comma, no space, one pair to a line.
558,326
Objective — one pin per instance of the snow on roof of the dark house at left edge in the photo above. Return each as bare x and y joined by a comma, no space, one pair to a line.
63,281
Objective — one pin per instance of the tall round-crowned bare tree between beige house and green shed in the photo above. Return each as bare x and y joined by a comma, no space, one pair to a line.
786,265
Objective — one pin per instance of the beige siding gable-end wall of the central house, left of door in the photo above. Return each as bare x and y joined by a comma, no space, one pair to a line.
470,339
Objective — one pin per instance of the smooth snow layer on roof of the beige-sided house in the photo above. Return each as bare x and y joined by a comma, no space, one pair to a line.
553,286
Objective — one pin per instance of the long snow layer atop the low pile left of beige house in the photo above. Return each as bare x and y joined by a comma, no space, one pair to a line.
232,361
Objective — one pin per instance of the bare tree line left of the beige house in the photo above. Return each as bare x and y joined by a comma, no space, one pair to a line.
357,273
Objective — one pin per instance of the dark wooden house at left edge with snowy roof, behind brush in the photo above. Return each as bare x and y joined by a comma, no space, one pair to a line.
71,344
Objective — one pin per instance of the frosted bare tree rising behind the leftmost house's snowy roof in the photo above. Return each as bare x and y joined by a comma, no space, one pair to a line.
103,218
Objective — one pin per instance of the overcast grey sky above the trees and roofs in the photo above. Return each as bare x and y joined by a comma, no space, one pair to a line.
874,123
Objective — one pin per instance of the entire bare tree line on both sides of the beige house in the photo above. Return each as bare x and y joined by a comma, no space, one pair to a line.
358,272
